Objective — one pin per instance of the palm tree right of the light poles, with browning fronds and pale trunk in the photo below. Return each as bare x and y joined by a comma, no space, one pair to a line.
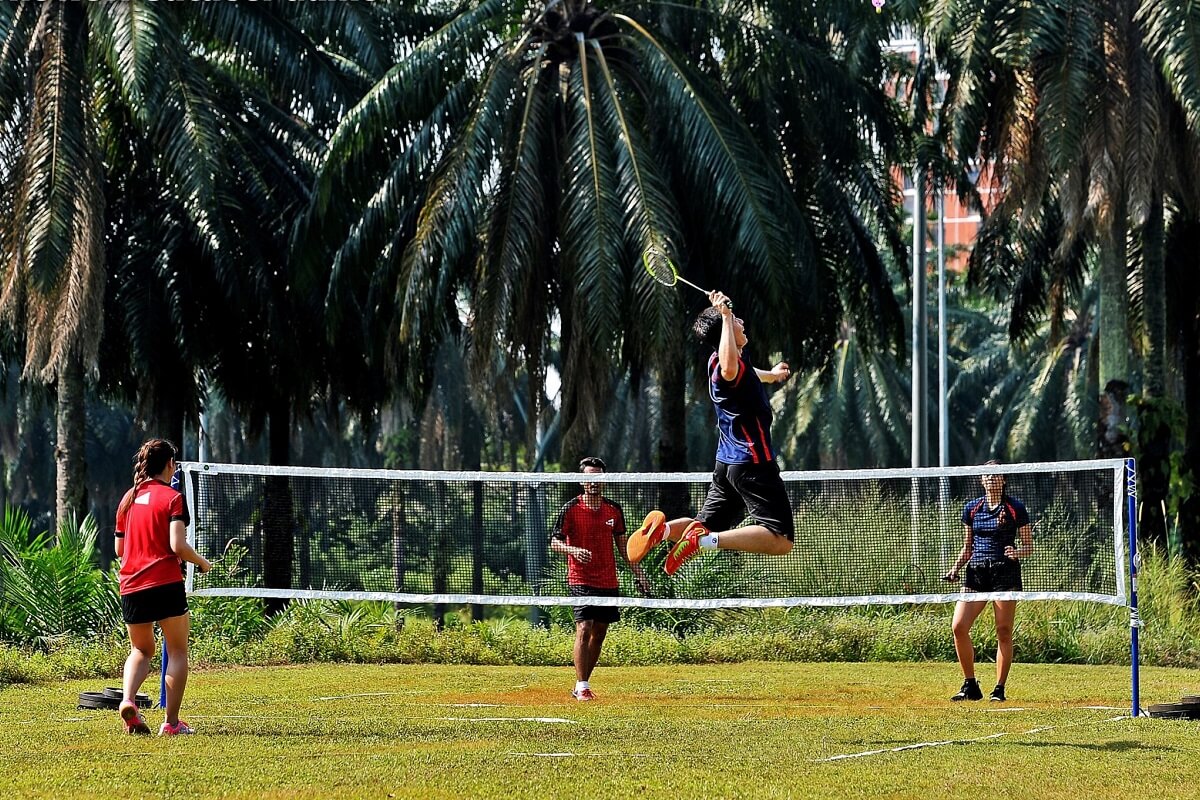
1070,107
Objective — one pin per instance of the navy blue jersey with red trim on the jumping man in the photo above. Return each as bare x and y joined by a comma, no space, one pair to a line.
743,416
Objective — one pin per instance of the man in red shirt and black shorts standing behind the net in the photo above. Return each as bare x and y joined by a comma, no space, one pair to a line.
587,532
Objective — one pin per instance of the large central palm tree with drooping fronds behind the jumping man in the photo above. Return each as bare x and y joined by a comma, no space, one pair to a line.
519,158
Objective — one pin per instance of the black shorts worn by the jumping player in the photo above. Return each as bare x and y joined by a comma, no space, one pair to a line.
758,489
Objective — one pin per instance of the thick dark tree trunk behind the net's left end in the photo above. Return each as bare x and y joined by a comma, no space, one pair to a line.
279,526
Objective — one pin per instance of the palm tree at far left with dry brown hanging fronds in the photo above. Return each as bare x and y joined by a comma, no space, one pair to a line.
165,103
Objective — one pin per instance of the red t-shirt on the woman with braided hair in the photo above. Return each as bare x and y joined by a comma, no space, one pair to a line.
148,561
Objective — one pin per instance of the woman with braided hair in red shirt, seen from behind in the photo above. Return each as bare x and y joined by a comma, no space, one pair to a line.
152,544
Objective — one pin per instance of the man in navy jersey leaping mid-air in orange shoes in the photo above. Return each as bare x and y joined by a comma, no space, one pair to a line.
747,474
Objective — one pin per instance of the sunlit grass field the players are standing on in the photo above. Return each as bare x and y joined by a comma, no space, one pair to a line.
742,731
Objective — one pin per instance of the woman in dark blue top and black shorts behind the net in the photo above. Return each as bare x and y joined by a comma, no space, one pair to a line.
997,536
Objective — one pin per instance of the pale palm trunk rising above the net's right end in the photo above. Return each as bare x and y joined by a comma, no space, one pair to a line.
1114,344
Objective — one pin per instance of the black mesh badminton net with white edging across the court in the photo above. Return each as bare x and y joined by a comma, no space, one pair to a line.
877,539
